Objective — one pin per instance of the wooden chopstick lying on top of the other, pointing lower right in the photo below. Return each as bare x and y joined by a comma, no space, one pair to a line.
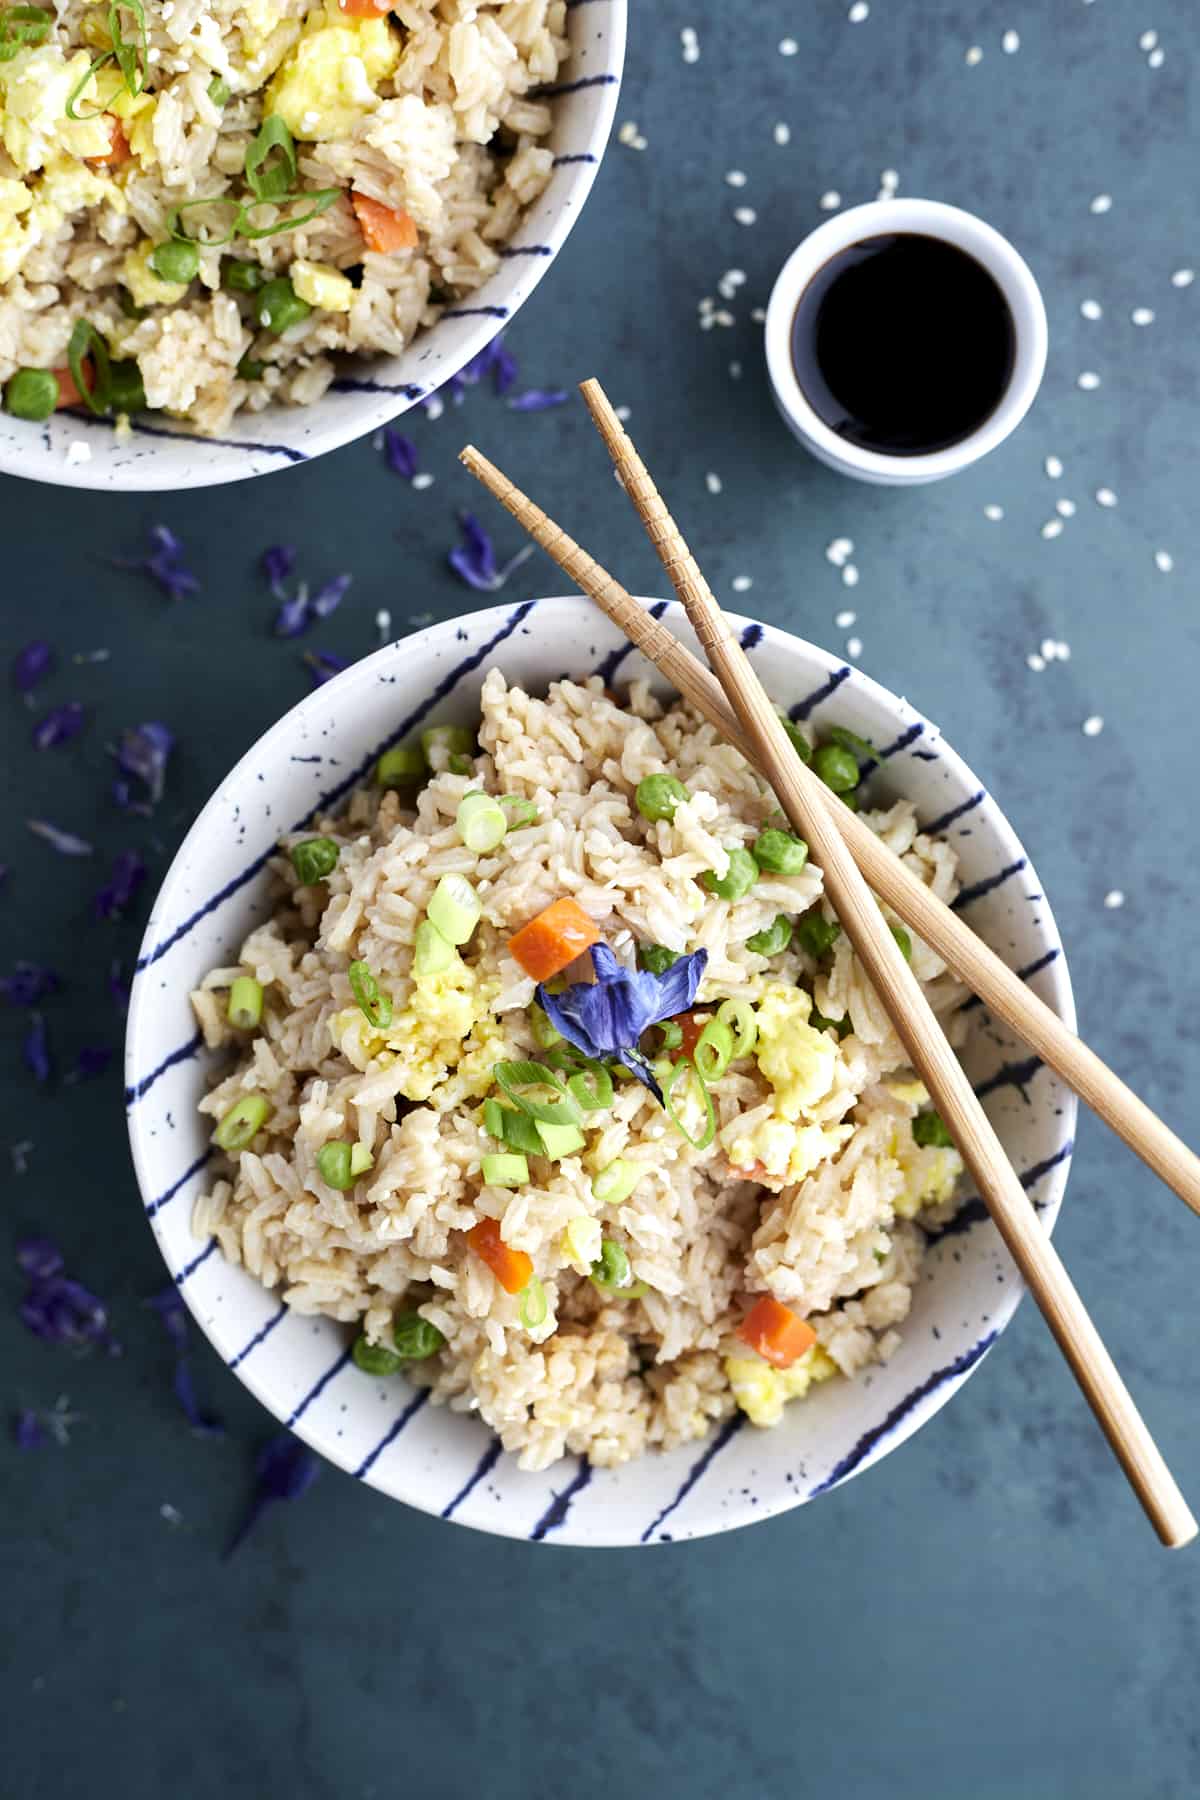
917,1025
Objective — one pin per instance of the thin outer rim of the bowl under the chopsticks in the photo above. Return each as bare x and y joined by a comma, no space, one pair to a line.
920,1407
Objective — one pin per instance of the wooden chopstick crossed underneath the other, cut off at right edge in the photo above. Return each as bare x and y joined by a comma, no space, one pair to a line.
933,921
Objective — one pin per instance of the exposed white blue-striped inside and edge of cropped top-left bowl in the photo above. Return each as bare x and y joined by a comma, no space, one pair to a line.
163,454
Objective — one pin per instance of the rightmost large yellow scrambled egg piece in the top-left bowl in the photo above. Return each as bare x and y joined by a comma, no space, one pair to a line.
330,80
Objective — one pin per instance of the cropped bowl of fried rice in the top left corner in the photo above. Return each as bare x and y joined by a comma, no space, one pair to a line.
235,237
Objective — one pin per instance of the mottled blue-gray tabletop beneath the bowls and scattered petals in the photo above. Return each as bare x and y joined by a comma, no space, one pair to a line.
987,1614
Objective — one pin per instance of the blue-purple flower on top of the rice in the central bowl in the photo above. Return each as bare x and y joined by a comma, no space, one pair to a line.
607,1018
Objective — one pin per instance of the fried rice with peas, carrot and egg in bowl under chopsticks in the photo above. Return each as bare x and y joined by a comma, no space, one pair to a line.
643,1250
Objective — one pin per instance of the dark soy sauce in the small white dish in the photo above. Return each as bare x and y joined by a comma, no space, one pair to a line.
904,345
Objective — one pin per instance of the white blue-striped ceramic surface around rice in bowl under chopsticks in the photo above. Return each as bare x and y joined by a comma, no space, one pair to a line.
384,1432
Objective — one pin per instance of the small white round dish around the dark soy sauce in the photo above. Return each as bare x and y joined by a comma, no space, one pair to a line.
927,219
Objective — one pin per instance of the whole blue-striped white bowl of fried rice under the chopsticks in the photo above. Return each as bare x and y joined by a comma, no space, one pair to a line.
515,1117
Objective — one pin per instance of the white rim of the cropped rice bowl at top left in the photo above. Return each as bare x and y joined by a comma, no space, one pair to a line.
379,404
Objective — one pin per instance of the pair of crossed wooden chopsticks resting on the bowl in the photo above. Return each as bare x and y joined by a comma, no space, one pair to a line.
843,847
